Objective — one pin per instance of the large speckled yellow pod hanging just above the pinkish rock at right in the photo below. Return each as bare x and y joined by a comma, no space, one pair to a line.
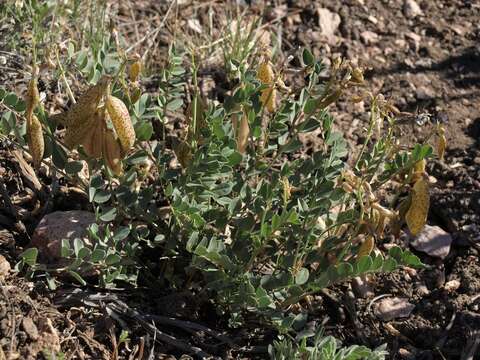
416,216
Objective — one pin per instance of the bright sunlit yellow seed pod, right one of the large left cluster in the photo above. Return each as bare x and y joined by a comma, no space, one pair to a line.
121,122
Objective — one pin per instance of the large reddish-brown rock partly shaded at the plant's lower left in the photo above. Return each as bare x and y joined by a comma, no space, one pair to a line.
54,227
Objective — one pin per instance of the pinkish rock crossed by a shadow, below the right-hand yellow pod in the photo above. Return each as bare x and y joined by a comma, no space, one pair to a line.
434,241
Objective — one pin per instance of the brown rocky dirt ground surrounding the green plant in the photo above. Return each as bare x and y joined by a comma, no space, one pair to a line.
427,64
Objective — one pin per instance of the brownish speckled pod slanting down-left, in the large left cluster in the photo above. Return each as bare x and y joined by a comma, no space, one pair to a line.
85,106
